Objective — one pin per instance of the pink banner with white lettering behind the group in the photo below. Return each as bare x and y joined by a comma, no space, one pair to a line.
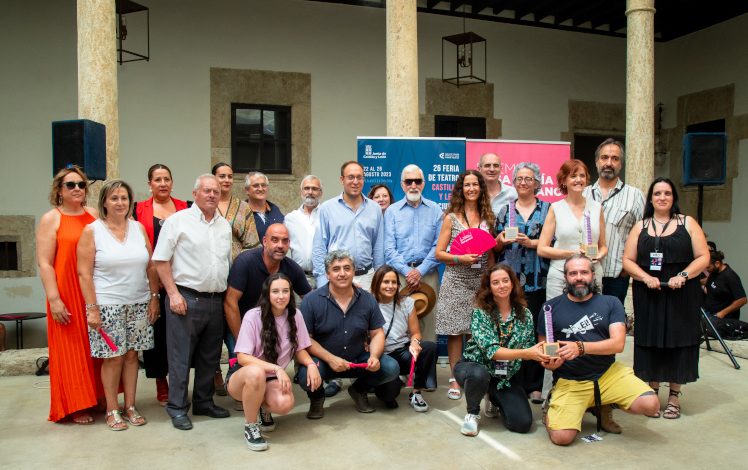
549,156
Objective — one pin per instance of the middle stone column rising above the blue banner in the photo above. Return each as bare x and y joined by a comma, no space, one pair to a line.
402,69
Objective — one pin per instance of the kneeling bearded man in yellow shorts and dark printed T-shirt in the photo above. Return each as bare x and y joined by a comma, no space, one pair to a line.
590,329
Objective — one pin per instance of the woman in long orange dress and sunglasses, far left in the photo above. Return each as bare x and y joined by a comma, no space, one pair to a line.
74,377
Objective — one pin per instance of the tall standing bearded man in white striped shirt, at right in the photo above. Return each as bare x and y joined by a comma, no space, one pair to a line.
623,206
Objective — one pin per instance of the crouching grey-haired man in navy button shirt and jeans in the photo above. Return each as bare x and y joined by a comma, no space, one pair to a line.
340,317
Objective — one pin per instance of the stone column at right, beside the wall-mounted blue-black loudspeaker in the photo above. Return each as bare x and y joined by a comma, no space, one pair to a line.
640,125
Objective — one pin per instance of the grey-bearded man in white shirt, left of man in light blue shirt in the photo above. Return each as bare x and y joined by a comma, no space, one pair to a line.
302,223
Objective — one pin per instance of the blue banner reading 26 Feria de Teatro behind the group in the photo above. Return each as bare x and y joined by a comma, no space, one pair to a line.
441,159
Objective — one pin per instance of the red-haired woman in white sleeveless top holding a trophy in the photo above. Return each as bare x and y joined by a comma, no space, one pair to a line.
569,223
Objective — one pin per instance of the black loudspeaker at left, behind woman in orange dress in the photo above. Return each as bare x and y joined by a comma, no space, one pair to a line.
79,142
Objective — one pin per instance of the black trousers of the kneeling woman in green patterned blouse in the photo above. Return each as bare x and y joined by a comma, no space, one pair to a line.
512,402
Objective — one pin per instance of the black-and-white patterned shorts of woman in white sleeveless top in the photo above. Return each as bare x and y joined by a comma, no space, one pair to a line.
128,327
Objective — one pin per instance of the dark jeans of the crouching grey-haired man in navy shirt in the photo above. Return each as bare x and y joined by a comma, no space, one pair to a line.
388,371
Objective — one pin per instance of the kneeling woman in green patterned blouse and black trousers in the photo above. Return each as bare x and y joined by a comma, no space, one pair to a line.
502,336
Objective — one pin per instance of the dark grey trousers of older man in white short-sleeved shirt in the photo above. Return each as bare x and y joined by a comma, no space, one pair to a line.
193,339
